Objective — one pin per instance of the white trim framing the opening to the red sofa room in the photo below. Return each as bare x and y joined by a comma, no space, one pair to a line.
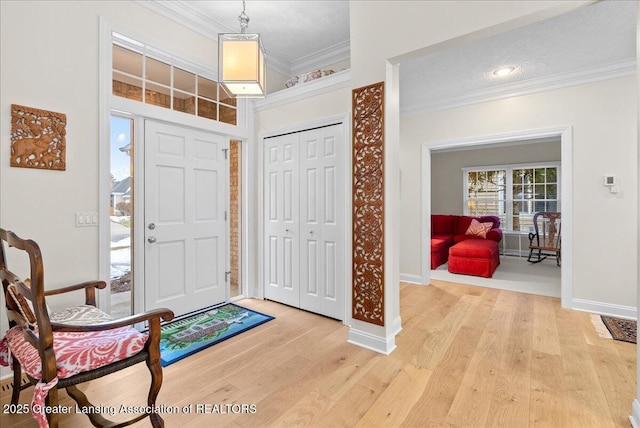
565,133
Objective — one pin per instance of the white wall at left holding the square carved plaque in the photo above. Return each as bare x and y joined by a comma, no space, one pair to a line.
49,60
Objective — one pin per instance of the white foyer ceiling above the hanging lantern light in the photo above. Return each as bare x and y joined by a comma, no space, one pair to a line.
298,36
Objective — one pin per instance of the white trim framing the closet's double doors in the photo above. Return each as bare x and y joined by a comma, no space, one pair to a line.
333,120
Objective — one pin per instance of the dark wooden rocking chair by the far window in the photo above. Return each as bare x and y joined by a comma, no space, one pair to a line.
545,242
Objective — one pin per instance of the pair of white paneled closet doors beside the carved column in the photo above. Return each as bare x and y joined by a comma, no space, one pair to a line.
304,245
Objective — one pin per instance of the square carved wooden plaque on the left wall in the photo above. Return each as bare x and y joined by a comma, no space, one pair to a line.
38,138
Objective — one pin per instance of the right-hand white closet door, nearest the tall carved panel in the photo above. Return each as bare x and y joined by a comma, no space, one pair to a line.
322,255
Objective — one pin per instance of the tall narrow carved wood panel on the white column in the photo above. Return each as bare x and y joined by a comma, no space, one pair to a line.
368,204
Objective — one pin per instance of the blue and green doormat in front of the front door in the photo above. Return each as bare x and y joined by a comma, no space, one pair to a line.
185,337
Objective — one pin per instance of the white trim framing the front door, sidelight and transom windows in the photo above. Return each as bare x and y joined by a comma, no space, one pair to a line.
107,104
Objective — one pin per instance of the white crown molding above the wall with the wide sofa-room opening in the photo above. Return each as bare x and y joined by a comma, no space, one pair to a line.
532,86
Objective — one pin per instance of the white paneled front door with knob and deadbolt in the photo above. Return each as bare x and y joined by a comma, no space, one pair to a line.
185,227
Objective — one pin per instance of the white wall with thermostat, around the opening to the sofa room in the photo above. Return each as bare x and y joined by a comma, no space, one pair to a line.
603,117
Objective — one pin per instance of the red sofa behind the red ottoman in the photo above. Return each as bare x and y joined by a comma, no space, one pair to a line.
448,230
